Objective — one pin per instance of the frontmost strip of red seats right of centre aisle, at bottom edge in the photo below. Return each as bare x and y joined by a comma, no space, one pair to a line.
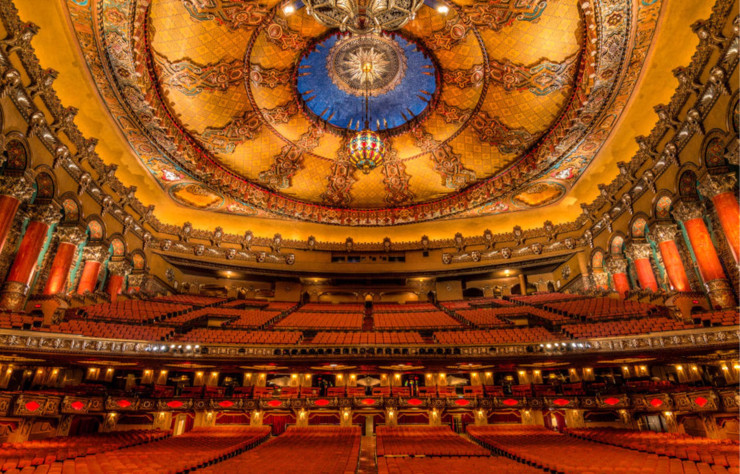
452,465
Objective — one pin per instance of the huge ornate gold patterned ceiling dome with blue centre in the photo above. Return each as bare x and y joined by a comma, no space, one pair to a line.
494,107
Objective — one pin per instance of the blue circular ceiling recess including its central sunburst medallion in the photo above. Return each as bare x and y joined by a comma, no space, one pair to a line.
404,81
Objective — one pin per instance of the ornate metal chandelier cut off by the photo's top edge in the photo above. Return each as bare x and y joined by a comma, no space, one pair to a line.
363,16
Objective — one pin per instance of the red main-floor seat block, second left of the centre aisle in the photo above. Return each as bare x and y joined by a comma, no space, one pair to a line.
178,454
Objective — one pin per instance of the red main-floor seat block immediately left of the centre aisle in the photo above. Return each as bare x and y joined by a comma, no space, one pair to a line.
332,450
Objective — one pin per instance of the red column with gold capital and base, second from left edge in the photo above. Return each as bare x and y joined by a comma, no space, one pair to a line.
16,287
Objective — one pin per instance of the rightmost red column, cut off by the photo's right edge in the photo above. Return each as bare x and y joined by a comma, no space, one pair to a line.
721,189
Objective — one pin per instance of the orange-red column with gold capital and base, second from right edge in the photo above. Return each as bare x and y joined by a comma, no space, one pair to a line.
710,268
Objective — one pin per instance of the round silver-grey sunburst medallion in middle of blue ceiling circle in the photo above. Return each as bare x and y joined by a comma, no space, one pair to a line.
371,64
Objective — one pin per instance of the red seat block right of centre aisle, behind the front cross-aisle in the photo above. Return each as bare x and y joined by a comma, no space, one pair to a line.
424,441
